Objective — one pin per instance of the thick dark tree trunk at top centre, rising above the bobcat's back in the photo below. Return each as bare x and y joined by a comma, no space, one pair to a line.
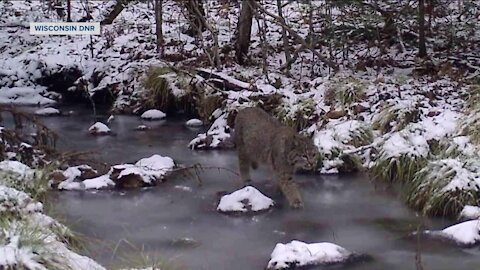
244,29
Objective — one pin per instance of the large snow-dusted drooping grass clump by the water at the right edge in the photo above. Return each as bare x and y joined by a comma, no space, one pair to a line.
445,186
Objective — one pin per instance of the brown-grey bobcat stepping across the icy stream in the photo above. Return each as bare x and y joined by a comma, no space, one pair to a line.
261,138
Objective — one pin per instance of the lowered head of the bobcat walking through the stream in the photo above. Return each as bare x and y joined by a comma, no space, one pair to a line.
304,154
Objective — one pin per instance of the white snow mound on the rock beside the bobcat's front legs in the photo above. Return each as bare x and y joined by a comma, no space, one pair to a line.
244,200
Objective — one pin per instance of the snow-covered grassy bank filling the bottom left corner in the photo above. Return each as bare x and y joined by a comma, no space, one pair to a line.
30,239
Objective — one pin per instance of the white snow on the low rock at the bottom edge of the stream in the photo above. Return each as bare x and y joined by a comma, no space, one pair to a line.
297,254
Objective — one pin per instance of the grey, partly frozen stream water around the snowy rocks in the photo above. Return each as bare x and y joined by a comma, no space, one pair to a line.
177,220
